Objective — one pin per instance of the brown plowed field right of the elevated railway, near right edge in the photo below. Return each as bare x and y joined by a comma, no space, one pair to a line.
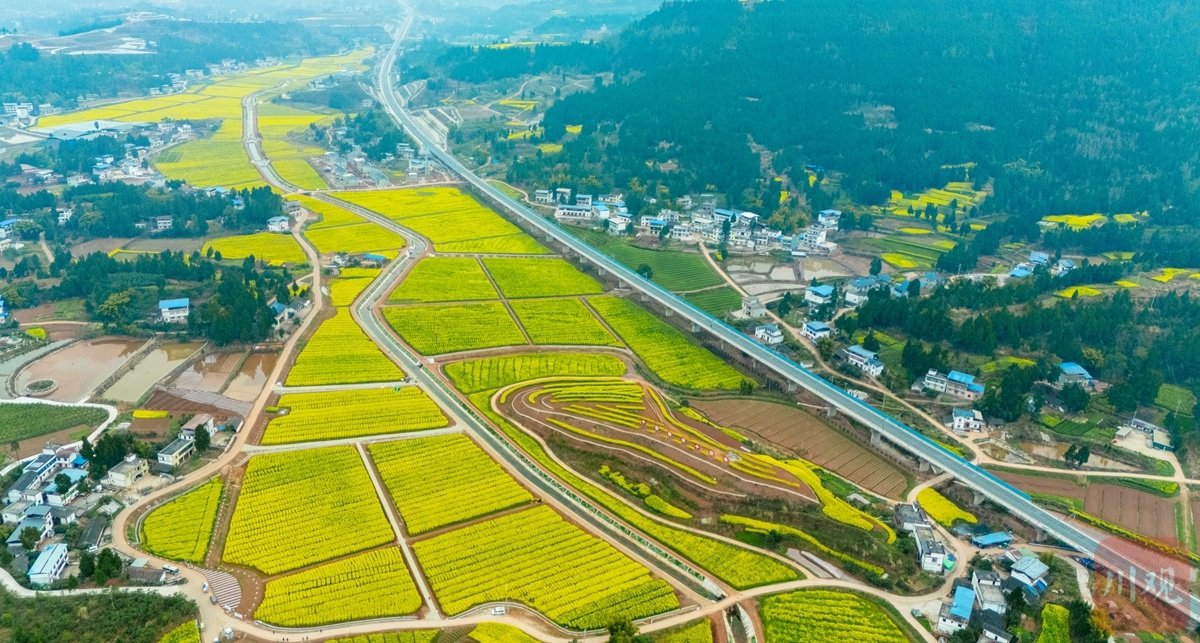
1137,510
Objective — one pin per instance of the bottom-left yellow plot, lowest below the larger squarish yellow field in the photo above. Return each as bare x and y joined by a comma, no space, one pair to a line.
371,586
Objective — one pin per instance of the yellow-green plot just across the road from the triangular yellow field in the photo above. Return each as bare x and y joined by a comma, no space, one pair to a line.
434,330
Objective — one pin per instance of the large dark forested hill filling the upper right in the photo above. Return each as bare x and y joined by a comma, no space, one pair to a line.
1071,106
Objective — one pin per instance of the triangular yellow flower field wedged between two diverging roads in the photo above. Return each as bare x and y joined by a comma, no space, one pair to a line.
340,353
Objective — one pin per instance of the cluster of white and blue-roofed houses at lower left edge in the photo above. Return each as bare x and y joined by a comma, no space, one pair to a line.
55,492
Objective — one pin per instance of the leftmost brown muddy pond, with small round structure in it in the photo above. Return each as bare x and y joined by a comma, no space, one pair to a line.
80,368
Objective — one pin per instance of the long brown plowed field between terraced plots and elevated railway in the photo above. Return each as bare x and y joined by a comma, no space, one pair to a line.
811,438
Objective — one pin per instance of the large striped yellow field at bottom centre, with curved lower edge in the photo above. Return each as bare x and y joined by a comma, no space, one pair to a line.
539,560
